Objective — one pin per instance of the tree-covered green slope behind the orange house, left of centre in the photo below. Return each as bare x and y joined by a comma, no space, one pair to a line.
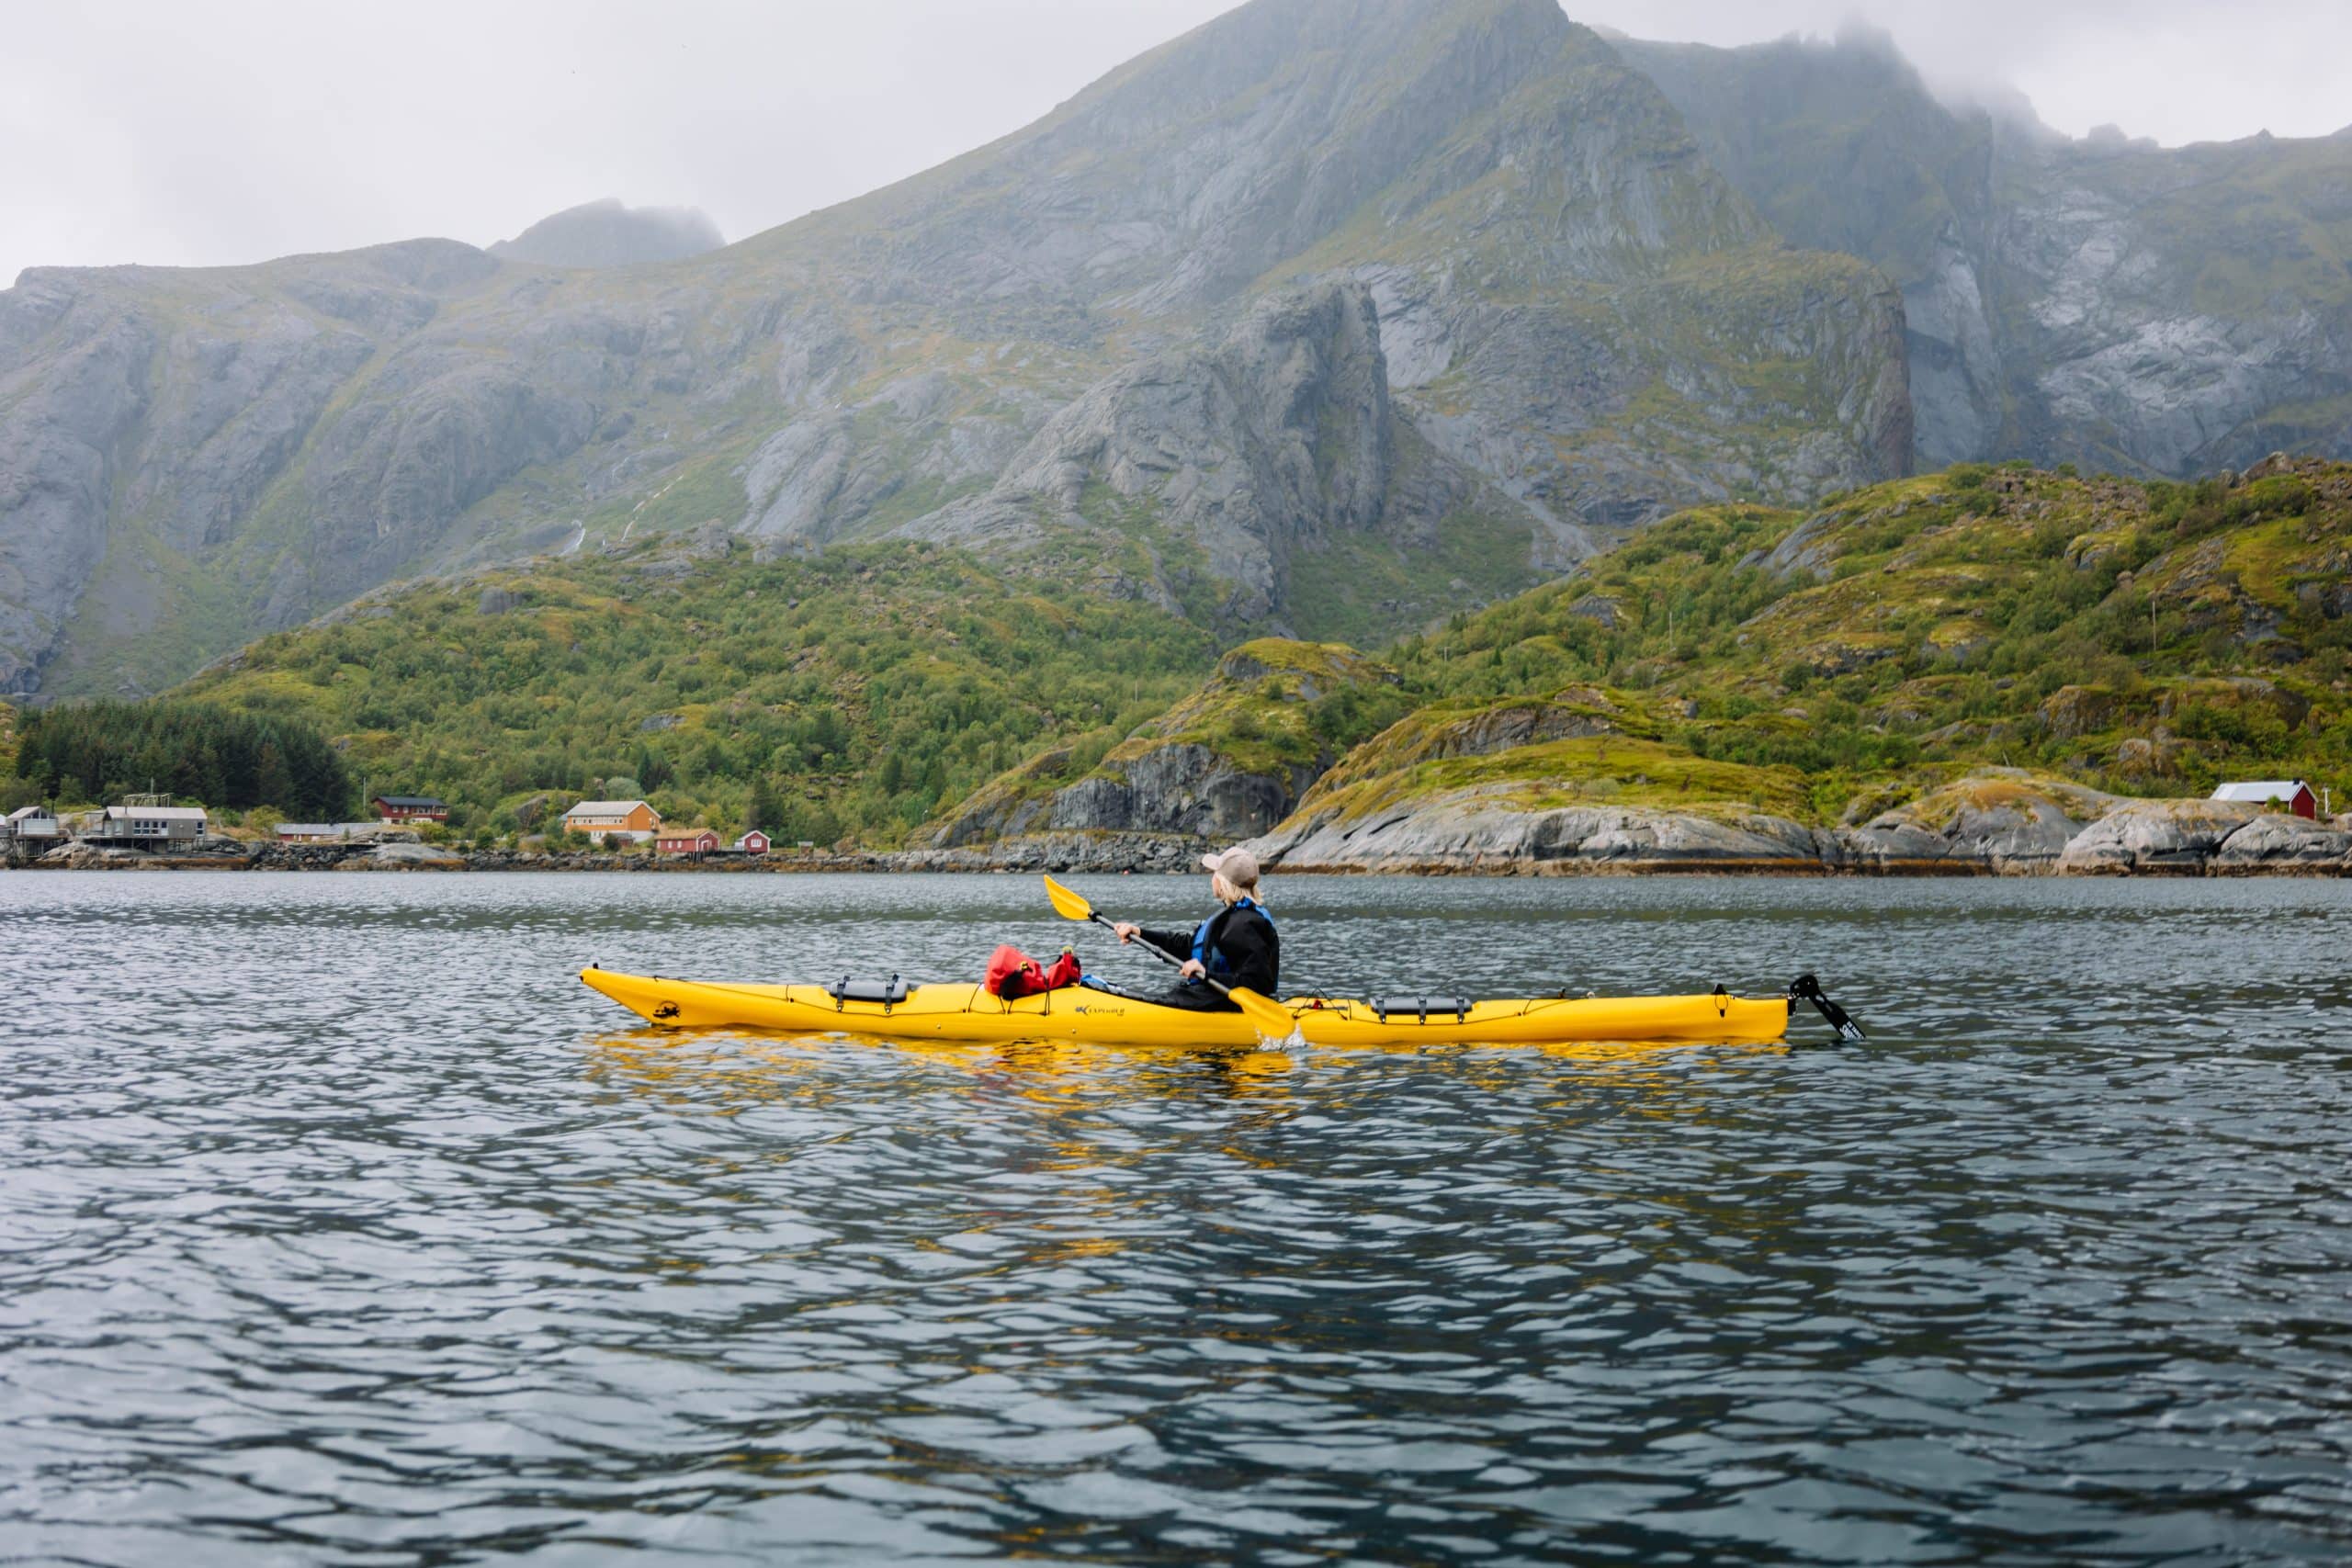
862,688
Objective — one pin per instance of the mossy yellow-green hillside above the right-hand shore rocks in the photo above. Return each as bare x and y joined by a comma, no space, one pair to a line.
2132,638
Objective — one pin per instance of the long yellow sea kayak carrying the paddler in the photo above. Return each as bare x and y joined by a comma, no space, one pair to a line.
1083,1014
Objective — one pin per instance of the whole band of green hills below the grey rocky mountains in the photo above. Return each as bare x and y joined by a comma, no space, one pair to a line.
1824,664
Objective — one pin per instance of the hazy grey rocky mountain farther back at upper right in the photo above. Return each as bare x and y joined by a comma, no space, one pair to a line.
2099,302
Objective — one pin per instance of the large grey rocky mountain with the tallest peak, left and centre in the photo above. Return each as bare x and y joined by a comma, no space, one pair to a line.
1074,335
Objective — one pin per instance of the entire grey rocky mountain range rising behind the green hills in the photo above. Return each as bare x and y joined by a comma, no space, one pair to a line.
1330,316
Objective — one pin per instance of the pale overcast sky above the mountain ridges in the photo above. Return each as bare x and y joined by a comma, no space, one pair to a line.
203,133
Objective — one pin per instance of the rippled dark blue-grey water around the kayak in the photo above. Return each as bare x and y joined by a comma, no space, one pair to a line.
342,1224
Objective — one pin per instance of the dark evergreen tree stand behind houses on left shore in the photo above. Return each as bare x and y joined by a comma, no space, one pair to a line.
196,751
